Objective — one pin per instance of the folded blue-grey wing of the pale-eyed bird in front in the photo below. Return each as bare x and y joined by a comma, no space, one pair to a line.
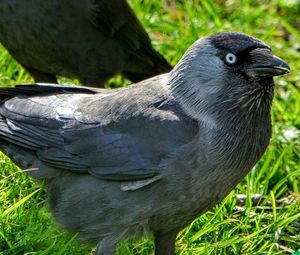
83,133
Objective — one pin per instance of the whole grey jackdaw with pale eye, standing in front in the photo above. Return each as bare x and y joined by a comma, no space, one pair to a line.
118,168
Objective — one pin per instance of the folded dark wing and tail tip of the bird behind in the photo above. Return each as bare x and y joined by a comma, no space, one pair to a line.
117,20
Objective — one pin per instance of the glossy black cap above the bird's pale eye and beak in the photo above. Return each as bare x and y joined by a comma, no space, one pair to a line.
236,42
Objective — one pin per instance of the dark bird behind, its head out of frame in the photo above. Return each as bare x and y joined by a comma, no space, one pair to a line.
91,40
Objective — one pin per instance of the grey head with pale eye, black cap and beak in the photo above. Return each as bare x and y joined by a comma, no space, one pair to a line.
226,70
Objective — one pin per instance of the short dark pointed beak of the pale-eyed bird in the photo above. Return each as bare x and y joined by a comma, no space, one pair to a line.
264,63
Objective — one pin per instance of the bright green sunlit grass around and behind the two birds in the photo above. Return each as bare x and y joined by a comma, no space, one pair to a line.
232,227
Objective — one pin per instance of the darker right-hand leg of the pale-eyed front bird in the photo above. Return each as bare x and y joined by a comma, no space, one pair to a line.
165,242
